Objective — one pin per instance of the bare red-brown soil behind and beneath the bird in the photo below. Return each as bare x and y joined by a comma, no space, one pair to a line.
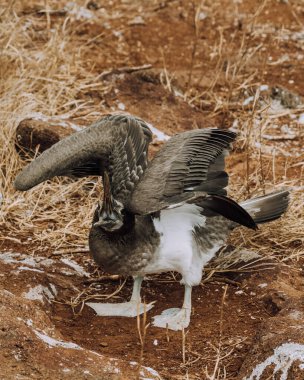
239,316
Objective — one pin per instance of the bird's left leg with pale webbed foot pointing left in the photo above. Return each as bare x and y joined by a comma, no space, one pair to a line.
126,309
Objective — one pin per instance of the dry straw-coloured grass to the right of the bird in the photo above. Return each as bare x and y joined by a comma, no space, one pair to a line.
268,166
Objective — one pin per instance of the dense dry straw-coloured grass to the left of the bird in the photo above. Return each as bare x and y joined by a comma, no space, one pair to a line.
43,74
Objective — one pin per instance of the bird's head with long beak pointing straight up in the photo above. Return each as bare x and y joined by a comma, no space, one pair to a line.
110,211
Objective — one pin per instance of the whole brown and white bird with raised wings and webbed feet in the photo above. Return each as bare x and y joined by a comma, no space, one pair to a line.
171,213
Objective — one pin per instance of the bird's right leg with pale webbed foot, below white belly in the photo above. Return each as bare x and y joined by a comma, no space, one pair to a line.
176,319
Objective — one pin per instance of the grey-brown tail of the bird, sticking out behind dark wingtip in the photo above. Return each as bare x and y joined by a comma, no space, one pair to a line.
267,207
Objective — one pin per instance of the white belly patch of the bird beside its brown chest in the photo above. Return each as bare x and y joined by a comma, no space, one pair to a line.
176,248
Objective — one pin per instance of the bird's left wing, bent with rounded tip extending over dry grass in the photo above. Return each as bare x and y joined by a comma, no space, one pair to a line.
117,143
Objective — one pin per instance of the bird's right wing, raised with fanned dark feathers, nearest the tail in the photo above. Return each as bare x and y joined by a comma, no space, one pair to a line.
190,168
